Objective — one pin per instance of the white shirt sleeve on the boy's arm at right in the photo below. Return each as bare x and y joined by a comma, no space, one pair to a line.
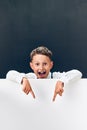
69,76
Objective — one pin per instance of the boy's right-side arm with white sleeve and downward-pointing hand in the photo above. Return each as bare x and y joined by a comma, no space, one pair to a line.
70,76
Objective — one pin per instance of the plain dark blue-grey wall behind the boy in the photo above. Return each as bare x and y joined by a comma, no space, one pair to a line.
58,24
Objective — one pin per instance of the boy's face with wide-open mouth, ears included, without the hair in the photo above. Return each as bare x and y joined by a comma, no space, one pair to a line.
41,65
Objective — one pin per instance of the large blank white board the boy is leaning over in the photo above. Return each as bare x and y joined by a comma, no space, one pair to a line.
19,111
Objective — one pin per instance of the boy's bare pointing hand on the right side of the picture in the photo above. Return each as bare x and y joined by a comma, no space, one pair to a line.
58,89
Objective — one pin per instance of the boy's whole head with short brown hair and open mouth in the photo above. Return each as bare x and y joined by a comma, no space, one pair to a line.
41,61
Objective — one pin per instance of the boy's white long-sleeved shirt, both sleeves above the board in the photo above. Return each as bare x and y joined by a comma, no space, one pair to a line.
65,77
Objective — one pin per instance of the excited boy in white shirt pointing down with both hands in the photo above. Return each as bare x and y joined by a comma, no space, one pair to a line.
41,63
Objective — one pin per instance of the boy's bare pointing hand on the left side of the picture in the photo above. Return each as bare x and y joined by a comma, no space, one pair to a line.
26,87
